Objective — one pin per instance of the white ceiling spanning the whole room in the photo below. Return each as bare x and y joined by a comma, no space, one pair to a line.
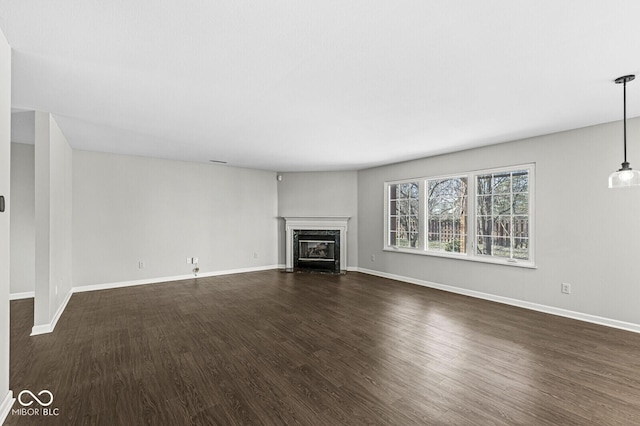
291,85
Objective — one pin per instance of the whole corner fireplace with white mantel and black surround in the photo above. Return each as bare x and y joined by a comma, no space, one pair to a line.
316,244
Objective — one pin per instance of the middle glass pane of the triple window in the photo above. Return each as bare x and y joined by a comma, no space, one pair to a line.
447,214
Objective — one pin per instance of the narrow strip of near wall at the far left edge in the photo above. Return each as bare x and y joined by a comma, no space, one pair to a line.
5,188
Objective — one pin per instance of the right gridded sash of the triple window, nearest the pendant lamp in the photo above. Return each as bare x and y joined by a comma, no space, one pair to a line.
502,203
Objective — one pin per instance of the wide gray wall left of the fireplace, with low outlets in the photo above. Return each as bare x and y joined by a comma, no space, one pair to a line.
129,209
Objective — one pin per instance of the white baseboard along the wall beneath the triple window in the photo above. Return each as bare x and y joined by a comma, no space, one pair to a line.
513,302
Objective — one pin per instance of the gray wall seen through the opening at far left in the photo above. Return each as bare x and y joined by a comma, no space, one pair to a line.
23,236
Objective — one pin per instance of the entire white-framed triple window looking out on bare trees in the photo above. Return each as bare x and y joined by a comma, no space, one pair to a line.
484,216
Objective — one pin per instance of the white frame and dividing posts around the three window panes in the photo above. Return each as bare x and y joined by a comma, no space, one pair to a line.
472,221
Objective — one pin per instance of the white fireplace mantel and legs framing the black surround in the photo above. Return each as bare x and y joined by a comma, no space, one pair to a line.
325,223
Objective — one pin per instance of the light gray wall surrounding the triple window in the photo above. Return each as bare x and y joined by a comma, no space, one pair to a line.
586,234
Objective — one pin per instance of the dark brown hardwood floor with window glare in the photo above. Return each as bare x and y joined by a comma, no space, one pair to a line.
274,348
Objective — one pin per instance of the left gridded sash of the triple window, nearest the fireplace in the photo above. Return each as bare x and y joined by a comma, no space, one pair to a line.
404,214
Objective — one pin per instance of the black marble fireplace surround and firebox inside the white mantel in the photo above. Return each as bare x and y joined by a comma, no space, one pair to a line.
316,250
